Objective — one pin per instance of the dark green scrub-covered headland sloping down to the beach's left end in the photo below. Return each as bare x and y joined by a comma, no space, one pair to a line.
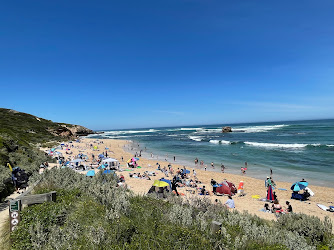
21,135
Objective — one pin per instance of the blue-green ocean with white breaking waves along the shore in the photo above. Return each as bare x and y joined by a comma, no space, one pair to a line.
292,149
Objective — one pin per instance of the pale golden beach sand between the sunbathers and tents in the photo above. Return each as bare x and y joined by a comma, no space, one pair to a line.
252,186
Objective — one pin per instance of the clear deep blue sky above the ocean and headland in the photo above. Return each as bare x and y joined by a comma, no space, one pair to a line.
129,64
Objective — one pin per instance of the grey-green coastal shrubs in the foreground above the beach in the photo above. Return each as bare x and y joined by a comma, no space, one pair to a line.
92,213
